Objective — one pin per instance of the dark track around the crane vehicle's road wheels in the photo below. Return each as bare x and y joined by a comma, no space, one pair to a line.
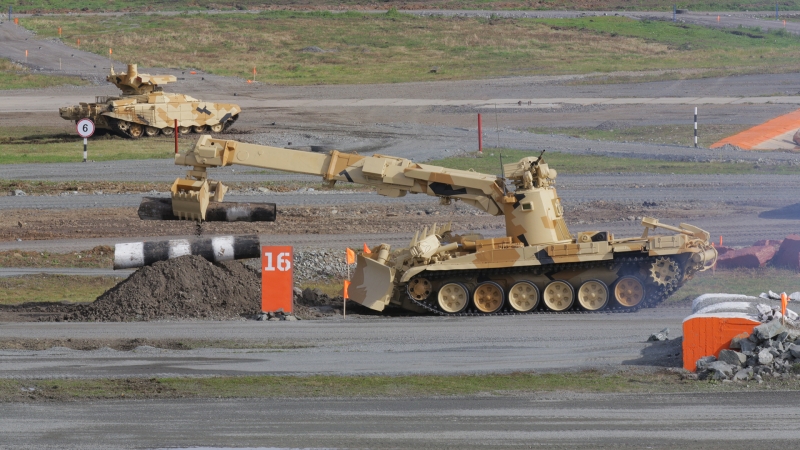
655,294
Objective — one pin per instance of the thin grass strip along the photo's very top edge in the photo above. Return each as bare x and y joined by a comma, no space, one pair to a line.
599,5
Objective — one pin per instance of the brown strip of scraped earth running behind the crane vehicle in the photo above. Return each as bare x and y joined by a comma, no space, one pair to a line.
30,224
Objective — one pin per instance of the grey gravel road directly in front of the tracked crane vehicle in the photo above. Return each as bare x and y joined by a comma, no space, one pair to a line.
413,345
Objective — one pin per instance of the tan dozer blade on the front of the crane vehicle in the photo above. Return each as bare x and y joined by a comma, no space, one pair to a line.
372,284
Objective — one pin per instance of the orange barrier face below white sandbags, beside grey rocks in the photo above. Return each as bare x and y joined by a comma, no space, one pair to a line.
707,334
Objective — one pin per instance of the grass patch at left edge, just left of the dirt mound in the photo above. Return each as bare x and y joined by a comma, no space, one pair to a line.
53,288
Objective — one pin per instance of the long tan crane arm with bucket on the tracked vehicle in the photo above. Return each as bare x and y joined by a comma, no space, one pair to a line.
391,176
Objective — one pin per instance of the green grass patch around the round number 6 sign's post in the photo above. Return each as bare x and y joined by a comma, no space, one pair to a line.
62,144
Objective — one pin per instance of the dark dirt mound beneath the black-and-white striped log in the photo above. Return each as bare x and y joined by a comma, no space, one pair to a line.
188,287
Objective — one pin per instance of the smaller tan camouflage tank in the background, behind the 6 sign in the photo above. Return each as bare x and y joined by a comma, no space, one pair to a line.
144,109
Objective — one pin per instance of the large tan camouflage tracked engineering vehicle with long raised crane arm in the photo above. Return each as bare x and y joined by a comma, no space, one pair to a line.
539,266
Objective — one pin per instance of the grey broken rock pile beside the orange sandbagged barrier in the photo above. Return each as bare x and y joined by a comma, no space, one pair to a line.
772,350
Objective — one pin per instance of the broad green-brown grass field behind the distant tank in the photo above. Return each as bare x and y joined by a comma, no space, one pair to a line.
326,48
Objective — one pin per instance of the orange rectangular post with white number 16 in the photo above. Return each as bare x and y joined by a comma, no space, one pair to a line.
277,279
